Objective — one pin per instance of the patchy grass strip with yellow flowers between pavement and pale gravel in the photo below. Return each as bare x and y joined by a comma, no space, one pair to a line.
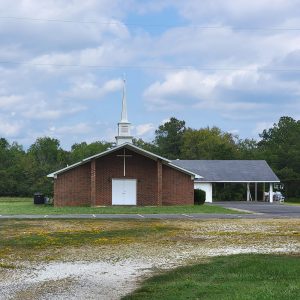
23,236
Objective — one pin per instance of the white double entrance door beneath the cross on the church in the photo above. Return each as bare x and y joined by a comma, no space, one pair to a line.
124,192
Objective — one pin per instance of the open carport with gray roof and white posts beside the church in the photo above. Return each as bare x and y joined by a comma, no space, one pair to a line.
248,172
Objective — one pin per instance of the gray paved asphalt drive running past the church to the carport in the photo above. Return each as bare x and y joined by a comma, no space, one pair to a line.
257,210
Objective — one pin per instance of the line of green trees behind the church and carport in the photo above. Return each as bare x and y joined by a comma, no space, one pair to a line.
23,172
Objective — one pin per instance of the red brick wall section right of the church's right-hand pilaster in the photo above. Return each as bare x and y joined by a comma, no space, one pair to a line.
178,187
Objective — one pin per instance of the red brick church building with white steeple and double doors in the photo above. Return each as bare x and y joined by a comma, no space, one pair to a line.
123,175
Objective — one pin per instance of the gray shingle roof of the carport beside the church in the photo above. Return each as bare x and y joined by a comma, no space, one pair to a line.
229,170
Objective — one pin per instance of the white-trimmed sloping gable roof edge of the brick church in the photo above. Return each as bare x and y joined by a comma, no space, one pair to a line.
130,147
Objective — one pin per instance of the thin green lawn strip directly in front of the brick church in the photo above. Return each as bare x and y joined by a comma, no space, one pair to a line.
16,206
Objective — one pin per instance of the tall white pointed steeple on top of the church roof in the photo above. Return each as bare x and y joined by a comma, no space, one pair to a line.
124,126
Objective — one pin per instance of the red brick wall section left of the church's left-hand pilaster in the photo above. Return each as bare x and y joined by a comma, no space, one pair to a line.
73,187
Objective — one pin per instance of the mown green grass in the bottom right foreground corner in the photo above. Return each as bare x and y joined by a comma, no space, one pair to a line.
237,277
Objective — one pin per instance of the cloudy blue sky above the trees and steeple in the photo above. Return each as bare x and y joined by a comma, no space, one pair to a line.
231,64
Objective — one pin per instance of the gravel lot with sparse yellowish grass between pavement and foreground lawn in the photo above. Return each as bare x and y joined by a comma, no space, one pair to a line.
113,266
